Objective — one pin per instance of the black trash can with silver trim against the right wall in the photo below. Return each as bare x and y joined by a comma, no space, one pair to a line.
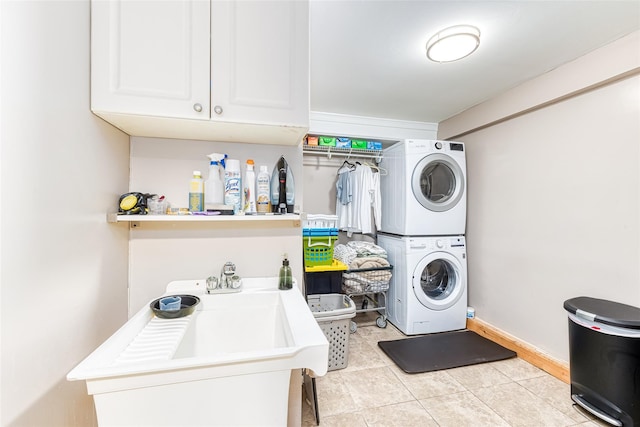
604,359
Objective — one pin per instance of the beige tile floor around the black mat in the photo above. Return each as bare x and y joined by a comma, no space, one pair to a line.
373,391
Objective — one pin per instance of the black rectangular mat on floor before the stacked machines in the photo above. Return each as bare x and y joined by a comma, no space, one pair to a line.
444,350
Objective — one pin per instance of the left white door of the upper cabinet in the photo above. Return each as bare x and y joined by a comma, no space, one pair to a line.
150,57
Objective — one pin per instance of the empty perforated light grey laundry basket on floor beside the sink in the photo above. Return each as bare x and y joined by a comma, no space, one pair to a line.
333,313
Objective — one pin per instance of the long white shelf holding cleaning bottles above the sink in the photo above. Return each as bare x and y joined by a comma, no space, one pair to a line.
294,219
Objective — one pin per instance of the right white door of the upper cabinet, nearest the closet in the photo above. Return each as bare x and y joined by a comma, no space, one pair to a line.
260,61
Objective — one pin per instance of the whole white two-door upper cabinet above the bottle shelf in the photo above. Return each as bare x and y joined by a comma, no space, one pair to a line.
212,70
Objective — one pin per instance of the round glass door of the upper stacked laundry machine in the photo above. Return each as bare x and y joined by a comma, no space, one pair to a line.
437,182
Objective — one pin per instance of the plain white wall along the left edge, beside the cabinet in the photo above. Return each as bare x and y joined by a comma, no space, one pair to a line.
63,273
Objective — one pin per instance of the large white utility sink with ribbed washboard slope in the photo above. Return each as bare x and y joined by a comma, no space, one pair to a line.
236,350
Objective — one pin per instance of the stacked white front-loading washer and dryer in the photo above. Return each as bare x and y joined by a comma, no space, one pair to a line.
424,210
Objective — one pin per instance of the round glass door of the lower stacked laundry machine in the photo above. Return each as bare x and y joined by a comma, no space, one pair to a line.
438,280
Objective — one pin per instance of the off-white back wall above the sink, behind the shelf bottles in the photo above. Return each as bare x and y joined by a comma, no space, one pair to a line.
162,252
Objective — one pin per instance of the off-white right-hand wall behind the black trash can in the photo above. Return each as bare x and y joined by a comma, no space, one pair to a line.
554,202
